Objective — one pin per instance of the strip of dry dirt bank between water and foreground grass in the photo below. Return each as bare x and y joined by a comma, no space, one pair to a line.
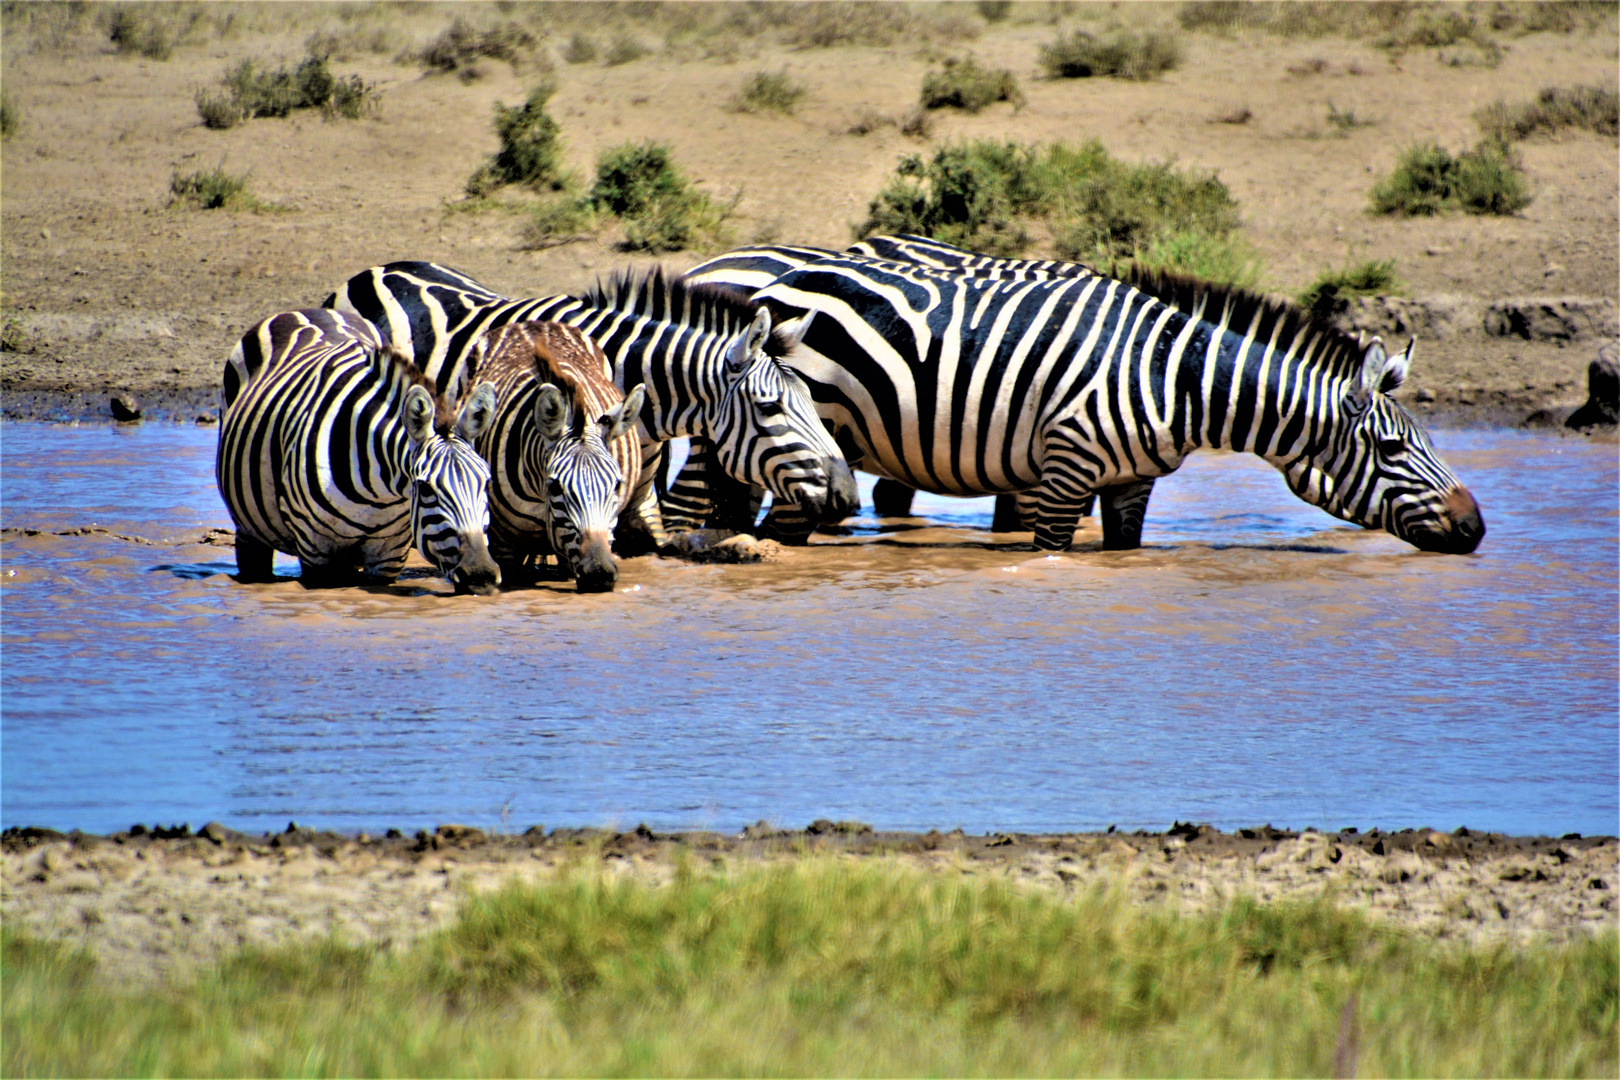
155,901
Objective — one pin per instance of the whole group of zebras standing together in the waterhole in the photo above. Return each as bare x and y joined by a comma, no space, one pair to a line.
420,409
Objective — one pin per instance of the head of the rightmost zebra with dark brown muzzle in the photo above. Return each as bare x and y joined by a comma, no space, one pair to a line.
1381,472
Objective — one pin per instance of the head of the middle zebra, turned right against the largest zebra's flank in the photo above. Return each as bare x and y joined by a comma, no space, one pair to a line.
767,432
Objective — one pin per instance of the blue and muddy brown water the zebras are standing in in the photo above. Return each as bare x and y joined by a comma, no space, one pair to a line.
1255,663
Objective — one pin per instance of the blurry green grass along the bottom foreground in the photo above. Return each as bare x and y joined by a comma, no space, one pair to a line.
827,967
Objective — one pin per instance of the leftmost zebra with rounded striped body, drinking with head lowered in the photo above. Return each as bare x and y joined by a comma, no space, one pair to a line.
336,449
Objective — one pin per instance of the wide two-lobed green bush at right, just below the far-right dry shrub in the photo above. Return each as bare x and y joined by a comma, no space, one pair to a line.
1428,181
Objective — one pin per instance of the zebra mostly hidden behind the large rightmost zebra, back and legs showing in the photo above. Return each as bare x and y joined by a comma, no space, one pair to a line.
691,501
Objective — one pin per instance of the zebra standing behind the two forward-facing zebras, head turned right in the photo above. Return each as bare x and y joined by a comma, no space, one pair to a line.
706,355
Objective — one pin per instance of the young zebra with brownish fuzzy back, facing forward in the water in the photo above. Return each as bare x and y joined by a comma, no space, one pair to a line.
560,451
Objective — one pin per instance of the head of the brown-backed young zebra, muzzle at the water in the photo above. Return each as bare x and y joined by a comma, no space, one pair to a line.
584,483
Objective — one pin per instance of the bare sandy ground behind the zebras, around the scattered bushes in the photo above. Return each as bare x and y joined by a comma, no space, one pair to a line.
108,289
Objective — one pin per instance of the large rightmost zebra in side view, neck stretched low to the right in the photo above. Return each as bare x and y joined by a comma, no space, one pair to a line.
1075,386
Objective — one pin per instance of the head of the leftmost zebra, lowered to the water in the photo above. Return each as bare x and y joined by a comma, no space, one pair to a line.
450,506
